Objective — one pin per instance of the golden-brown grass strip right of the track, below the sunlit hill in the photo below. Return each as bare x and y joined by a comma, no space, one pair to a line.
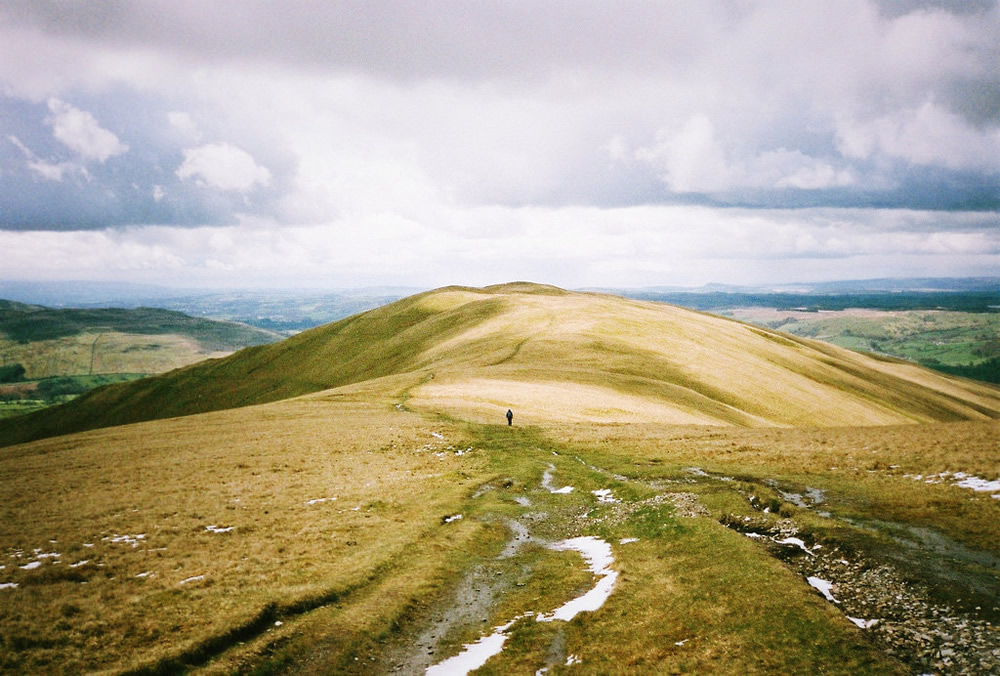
867,467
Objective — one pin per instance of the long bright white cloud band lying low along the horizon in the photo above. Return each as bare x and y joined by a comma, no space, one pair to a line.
577,246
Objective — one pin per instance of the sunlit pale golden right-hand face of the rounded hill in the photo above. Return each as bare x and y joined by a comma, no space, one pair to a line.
587,357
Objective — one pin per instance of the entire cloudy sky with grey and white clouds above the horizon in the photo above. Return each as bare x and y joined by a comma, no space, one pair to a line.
576,142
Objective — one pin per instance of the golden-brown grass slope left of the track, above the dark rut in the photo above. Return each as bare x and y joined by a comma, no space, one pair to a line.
253,470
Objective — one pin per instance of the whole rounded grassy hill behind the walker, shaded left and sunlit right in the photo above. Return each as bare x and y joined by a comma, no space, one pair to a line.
550,355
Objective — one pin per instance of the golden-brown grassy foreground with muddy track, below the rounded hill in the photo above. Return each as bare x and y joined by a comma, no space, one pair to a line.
336,533
